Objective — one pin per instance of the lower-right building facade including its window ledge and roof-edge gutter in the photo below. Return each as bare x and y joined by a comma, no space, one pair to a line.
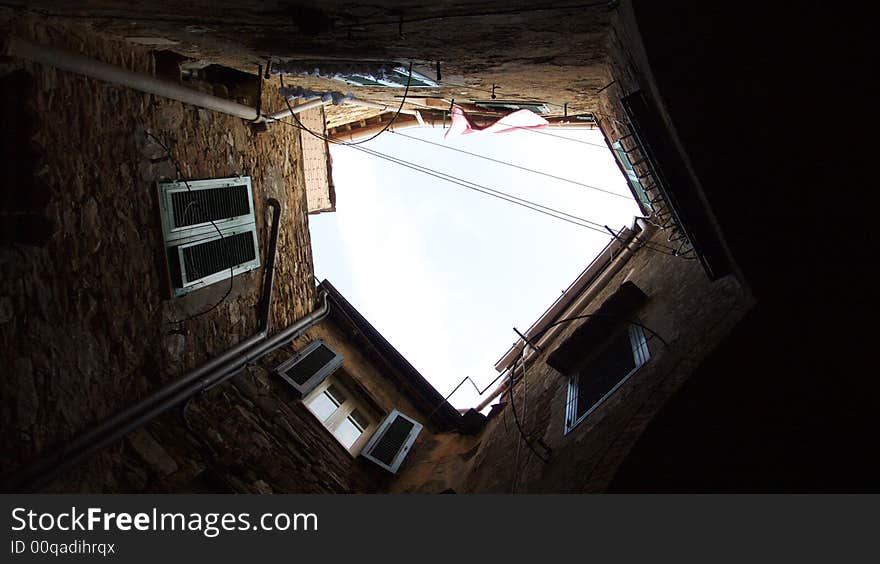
526,446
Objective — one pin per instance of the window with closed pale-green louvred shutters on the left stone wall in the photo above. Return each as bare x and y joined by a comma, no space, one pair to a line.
192,213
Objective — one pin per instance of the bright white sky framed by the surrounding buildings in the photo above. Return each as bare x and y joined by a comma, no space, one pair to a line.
445,273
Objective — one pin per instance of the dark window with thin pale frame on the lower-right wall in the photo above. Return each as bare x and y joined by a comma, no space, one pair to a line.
603,373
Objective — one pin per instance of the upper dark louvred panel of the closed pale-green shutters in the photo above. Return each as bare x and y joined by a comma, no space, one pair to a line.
193,207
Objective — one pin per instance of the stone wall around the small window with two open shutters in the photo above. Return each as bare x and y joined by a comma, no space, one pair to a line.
254,434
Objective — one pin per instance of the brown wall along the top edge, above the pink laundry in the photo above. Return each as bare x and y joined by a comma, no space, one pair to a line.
555,54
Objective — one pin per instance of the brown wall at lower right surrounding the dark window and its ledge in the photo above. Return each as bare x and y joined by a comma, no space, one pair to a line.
691,314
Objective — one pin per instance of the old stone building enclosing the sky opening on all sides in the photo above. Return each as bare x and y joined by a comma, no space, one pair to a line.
742,295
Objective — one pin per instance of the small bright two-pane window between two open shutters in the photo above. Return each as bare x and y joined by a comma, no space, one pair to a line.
341,413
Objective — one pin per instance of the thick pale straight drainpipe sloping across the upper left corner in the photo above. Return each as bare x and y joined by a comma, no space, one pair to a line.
72,62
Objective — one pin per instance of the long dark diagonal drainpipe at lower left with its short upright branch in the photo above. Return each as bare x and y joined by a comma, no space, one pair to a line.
216,371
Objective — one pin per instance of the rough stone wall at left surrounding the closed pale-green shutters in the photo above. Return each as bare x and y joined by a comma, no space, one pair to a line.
86,329
